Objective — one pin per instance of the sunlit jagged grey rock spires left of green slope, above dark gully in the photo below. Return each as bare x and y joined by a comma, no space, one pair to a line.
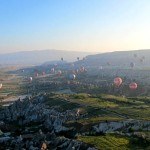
30,110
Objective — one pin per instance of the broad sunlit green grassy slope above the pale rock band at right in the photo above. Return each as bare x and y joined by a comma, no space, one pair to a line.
104,107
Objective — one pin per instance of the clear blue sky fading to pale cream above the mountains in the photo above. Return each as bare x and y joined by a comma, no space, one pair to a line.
77,25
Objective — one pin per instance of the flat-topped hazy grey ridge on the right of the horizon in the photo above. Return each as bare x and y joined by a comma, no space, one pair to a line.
119,58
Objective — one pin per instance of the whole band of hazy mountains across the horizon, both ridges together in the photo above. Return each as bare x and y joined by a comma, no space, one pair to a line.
116,58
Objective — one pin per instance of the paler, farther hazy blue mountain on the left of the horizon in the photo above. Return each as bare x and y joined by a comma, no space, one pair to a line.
40,56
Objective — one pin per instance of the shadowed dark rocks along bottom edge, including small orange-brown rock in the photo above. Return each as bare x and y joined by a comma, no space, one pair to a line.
47,141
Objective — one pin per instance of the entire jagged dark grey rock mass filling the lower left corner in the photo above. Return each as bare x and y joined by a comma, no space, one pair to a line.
30,124
